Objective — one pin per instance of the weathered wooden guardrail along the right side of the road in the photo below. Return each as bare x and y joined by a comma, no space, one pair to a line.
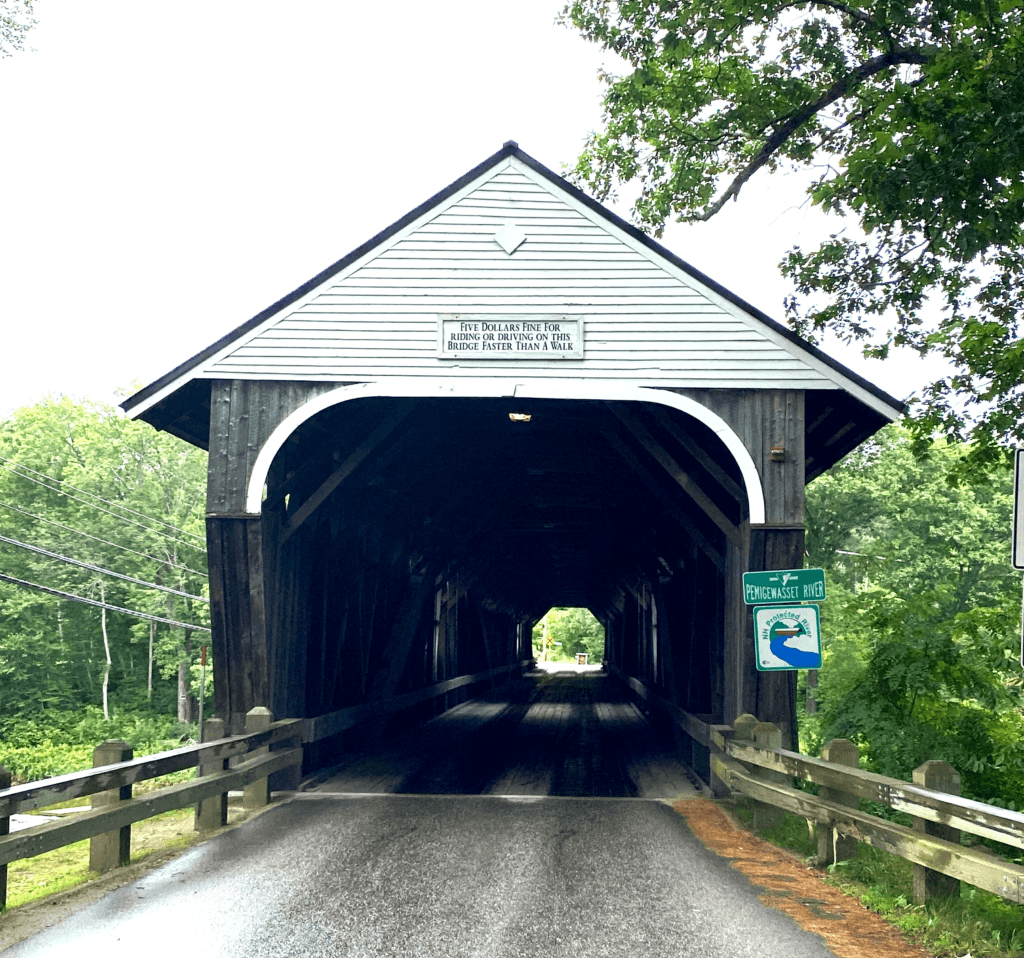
764,772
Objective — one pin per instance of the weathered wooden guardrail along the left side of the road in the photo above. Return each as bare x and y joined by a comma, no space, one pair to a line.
271,747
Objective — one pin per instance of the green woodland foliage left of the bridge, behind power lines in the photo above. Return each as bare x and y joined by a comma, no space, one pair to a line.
81,482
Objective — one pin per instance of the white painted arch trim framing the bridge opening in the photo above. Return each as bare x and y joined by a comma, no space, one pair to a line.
489,389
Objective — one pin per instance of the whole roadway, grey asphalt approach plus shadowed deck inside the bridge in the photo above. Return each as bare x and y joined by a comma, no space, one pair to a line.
527,823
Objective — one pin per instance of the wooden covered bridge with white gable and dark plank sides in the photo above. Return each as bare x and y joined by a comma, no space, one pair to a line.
508,401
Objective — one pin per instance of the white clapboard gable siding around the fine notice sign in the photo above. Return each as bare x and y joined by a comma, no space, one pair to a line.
645,320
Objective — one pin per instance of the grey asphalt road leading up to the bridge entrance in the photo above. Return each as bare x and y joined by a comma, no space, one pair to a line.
435,877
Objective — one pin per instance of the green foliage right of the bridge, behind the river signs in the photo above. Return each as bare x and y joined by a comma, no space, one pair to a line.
921,630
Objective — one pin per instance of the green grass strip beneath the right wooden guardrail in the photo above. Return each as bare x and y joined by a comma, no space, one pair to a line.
978,924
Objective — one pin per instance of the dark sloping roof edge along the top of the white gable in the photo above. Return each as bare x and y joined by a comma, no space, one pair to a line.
510,149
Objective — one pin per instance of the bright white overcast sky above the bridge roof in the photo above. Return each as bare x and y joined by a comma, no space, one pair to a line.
170,169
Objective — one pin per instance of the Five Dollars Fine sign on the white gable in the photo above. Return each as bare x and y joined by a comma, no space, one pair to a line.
489,337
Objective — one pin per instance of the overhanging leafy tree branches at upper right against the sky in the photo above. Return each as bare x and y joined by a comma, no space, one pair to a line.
911,115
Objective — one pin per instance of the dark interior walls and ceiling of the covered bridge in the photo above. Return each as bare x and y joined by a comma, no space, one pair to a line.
421,540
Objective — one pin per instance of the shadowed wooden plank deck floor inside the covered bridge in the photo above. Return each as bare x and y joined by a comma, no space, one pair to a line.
570,733
